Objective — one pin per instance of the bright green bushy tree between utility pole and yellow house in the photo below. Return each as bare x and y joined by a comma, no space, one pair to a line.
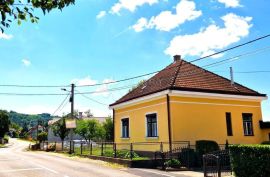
90,130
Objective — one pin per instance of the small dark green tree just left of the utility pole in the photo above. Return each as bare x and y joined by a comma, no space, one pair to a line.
60,130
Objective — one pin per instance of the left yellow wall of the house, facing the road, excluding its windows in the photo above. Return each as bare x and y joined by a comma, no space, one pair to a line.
137,123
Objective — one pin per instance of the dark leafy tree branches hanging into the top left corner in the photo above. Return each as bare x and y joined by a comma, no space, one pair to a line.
21,11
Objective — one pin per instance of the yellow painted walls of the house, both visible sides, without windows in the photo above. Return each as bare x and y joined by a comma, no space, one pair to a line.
191,119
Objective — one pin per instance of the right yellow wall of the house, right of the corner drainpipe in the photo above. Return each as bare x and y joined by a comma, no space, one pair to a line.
204,119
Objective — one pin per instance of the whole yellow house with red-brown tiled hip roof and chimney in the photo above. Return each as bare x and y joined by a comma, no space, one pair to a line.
184,102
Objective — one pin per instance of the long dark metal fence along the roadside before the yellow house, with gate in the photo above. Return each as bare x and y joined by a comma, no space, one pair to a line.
157,151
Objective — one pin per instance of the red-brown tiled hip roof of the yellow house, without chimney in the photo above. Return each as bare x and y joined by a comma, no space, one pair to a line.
182,75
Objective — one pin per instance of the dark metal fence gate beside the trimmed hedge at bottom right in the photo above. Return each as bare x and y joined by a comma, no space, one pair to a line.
217,164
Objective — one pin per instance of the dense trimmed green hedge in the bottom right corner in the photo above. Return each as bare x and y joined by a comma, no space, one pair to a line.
250,160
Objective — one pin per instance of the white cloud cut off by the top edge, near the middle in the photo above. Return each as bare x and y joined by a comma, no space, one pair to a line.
130,5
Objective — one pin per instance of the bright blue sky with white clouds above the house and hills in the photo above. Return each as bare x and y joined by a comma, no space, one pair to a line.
97,41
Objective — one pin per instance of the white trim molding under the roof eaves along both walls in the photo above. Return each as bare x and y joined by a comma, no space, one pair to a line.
191,94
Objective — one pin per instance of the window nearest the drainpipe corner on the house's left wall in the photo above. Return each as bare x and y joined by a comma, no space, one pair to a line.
151,120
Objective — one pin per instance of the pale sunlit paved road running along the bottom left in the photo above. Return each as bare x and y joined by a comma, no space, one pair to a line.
16,162
